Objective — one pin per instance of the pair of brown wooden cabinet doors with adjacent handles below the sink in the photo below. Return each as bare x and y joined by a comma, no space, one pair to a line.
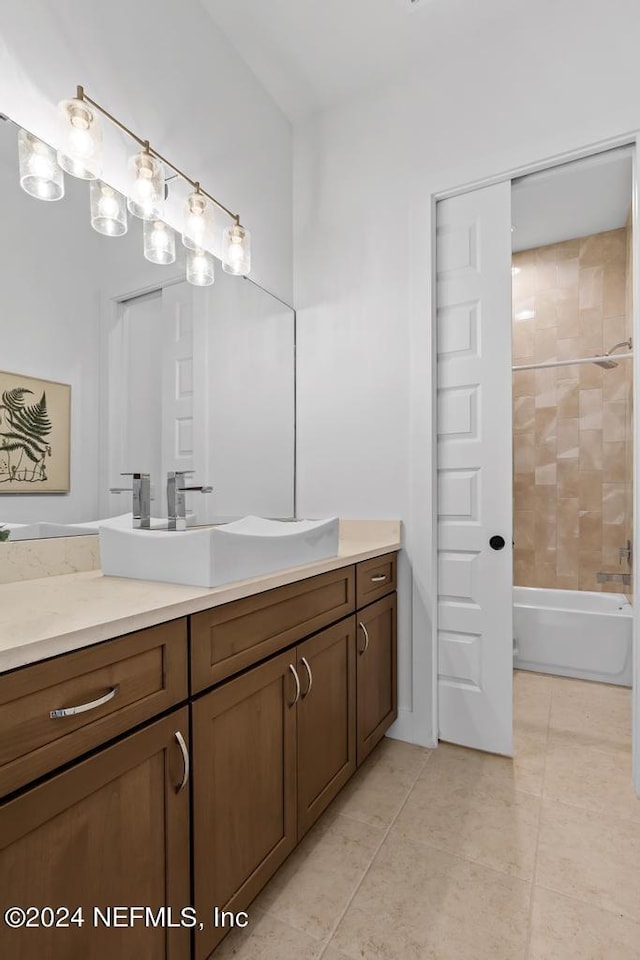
271,749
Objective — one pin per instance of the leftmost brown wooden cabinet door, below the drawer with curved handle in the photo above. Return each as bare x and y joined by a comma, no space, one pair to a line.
110,831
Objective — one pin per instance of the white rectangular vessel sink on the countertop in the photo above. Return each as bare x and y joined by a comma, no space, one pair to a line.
212,556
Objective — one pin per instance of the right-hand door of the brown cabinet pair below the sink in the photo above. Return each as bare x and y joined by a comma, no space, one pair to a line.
326,719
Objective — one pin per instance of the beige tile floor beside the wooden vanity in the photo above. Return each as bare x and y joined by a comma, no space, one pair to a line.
451,854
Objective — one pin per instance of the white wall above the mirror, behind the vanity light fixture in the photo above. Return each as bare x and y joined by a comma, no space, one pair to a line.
168,72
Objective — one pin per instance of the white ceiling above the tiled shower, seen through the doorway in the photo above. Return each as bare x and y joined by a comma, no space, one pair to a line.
573,200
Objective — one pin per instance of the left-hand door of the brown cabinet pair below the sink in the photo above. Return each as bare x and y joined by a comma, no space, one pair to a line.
244,810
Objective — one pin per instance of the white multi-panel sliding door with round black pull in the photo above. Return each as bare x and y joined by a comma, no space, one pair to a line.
475,581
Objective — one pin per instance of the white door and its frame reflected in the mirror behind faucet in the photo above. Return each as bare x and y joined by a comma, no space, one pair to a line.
155,425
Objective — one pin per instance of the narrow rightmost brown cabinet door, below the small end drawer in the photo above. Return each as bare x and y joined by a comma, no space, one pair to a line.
376,673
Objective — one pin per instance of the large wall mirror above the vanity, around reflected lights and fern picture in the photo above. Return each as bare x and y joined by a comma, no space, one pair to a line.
90,311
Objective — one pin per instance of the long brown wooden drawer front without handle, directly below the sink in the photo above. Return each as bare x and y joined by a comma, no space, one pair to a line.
229,638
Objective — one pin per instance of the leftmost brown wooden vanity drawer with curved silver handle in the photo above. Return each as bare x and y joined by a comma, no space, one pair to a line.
118,684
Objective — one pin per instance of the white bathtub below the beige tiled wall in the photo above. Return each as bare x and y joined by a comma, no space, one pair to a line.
573,633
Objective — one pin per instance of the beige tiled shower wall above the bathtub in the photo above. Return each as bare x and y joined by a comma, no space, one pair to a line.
572,425
